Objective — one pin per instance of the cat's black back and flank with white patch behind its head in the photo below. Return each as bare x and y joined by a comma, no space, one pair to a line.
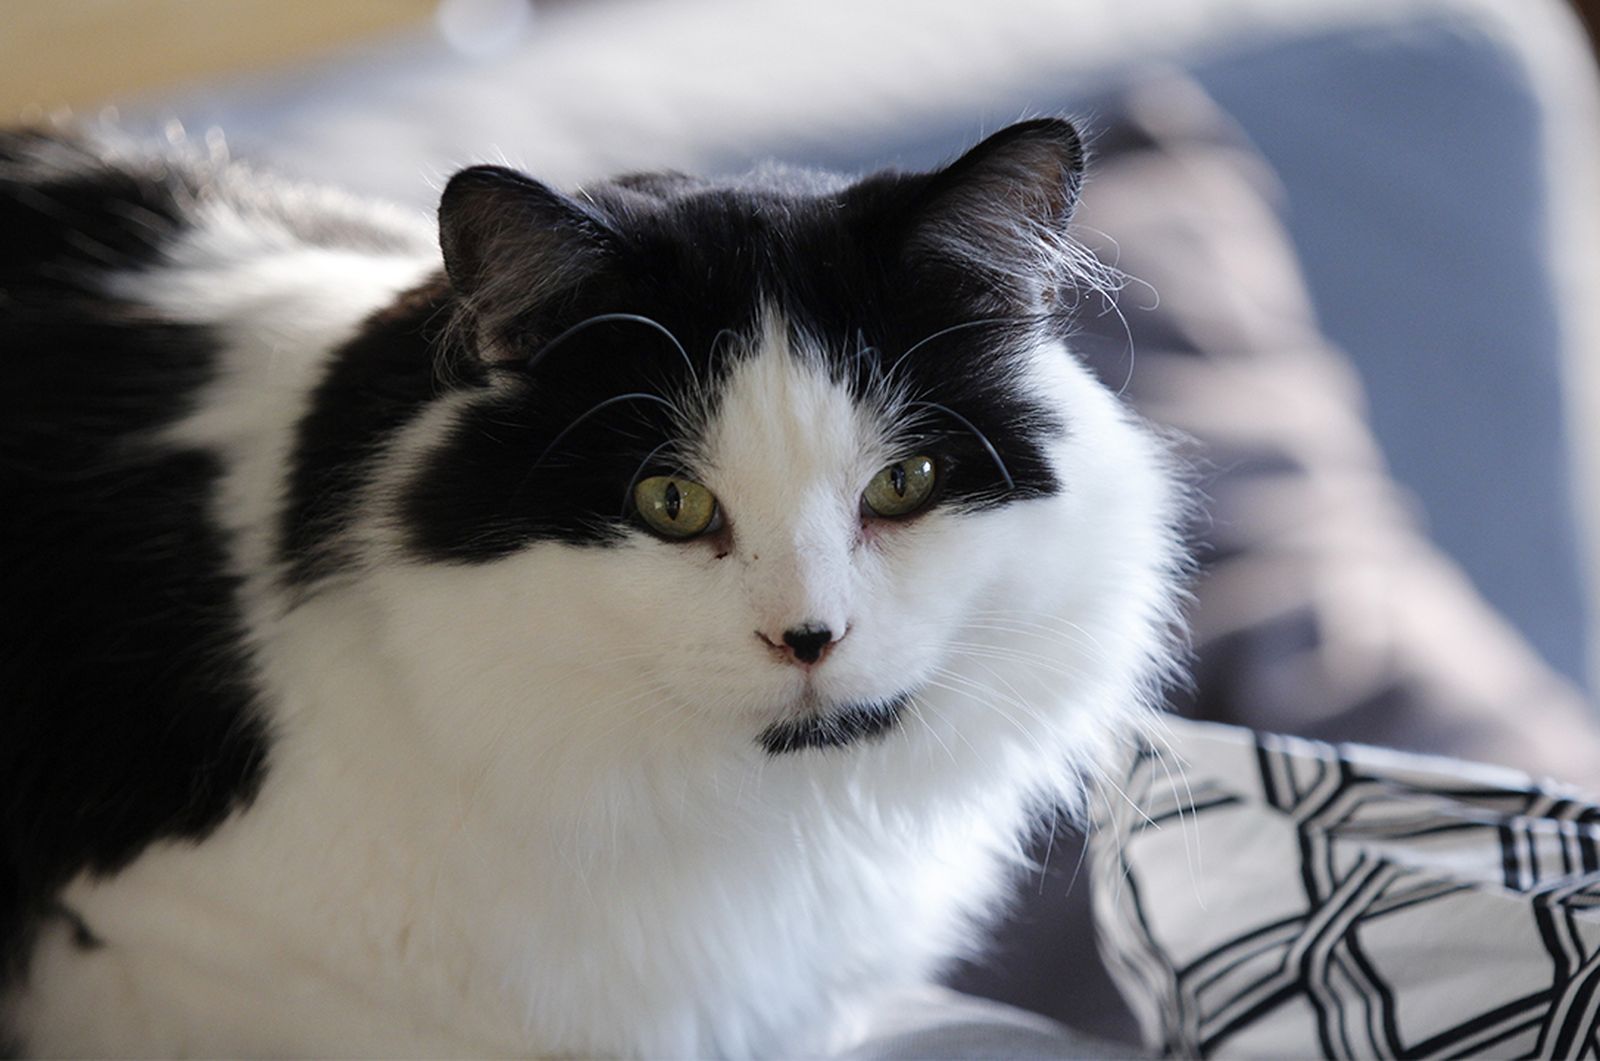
132,286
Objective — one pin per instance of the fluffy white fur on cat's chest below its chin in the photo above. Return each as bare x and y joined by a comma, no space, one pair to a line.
358,908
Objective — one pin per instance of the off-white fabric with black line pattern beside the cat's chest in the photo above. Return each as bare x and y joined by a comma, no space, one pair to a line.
1273,897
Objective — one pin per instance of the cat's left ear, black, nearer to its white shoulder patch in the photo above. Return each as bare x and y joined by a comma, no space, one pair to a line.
511,246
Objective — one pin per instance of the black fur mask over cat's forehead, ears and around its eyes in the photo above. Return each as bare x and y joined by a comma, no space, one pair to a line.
583,410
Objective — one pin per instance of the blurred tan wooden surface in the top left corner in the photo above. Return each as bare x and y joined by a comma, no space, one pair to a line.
87,54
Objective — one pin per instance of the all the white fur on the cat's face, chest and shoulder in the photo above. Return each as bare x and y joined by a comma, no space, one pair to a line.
519,807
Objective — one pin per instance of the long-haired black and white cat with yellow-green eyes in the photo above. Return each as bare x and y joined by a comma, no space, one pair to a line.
644,620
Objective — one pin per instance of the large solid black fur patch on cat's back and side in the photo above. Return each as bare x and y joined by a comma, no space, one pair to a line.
129,710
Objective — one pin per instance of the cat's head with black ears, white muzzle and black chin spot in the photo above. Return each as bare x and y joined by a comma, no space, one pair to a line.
791,460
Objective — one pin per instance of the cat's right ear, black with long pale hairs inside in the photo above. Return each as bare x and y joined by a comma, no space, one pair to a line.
1004,207
